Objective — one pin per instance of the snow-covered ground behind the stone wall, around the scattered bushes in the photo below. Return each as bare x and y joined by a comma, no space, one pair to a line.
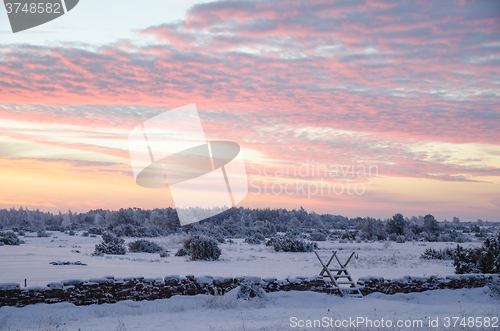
31,260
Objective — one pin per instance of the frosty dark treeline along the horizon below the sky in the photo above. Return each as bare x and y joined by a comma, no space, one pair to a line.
252,224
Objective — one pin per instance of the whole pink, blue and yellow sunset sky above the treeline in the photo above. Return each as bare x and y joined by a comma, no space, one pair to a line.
394,105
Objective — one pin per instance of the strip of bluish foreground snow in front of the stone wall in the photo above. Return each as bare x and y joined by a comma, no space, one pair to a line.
203,312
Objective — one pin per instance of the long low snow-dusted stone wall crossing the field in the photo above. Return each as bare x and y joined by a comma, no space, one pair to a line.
109,289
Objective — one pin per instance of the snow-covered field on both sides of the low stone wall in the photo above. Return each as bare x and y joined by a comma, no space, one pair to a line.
31,261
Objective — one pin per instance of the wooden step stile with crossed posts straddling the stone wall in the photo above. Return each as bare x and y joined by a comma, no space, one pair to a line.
340,276
